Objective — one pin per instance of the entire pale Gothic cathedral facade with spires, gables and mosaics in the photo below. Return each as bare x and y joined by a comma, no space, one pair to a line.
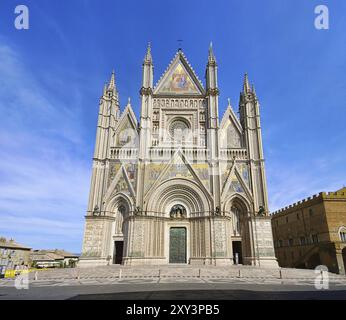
181,185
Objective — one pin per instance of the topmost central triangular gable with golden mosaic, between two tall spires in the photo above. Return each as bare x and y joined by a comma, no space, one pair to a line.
179,79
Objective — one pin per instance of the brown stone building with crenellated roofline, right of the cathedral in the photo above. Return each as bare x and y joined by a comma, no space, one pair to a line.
312,232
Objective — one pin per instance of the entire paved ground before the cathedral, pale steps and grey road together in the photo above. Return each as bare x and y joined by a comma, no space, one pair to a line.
175,283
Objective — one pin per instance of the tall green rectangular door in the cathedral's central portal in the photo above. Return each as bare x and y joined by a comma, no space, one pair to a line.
177,245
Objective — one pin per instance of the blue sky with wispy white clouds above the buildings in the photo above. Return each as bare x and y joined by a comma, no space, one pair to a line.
52,75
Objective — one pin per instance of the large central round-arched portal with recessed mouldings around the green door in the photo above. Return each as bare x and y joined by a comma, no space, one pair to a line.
183,204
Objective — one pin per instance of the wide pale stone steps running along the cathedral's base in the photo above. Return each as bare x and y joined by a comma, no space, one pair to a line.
178,271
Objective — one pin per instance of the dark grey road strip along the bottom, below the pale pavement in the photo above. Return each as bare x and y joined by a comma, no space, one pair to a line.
175,291
